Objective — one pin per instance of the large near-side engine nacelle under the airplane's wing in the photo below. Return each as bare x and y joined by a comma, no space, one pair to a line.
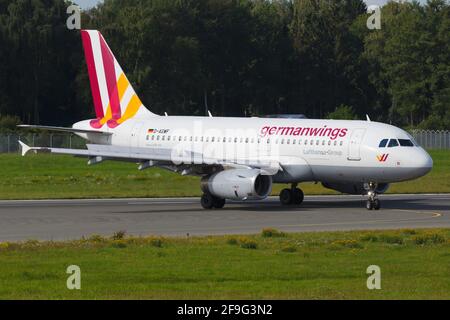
238,184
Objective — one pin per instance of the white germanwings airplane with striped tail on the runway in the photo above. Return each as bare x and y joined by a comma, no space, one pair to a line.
238,158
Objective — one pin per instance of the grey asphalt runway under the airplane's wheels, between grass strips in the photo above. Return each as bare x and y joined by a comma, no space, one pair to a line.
72,219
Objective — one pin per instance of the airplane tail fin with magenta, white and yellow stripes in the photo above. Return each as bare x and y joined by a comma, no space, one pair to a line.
115,100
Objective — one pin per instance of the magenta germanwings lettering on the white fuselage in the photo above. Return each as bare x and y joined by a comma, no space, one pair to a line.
332,133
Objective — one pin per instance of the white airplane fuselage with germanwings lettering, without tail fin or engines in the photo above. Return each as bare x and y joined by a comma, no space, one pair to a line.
307,150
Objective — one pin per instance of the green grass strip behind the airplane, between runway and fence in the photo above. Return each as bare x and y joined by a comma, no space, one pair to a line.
47,176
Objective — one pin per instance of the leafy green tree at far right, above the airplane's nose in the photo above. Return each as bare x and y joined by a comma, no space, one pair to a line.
409,63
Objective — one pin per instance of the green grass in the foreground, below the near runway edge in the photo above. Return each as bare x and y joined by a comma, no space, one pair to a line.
295,266
